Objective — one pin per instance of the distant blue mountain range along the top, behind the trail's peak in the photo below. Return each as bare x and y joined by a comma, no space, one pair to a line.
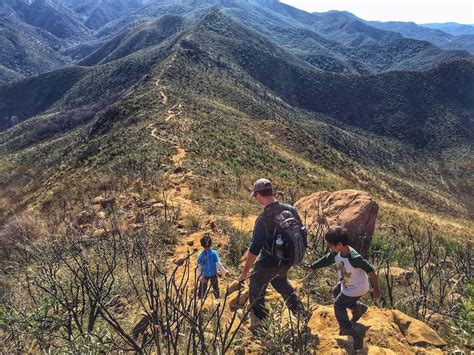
42,35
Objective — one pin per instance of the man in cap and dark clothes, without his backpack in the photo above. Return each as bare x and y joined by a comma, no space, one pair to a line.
267,269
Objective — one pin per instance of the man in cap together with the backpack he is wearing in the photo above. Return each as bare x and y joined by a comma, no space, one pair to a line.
279,242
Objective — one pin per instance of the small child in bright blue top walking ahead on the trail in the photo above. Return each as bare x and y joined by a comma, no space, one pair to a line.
208,265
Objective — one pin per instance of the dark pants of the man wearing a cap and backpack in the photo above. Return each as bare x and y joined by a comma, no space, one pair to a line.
278,278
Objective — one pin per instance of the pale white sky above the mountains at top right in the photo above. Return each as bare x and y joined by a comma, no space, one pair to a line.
419,11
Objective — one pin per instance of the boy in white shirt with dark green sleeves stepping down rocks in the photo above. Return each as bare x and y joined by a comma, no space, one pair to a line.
354,282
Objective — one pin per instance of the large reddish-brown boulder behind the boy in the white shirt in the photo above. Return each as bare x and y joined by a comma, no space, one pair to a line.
352,209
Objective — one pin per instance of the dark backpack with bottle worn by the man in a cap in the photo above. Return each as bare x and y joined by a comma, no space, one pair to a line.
286,236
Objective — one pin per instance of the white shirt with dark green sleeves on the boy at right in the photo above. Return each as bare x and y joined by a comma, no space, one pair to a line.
352,269
